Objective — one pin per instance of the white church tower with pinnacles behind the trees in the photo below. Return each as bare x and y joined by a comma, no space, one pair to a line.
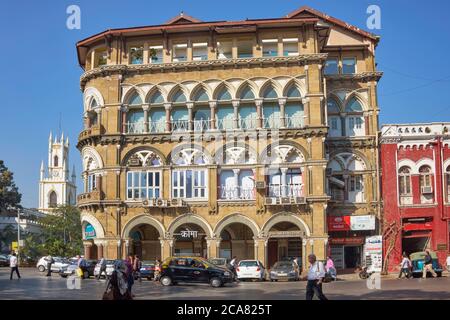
56,186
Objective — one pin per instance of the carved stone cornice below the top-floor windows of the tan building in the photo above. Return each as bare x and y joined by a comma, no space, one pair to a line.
108,70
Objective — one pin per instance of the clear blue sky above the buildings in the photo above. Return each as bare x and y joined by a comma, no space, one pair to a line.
40,74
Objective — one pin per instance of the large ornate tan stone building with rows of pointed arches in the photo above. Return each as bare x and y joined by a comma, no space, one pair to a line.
210,138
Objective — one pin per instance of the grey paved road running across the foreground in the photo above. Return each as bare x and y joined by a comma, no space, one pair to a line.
35,285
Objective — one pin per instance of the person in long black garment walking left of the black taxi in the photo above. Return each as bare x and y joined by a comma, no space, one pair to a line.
117,285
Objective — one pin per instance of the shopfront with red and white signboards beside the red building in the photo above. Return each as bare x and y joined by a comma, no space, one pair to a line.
347,239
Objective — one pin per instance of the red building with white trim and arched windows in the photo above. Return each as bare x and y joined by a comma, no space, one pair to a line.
415,166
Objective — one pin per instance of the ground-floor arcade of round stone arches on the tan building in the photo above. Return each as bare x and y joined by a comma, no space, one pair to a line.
278,238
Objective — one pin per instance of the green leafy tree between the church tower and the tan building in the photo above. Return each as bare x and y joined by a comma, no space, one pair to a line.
61,232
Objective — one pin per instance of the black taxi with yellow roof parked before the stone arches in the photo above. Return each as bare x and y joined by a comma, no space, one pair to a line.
193,270
